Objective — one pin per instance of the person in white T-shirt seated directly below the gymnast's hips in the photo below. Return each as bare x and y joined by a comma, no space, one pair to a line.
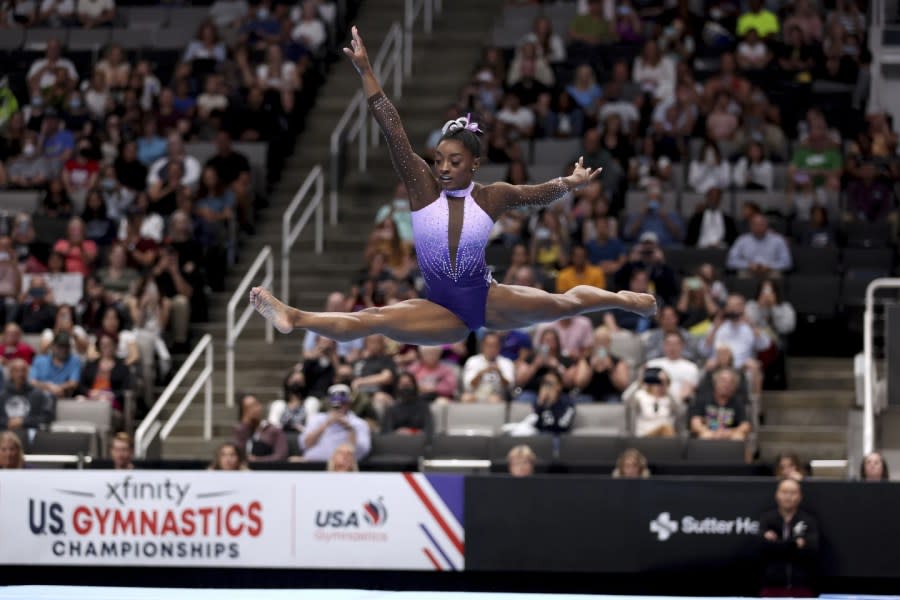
488,376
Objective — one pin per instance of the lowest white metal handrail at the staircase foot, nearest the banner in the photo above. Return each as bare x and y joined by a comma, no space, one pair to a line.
150,426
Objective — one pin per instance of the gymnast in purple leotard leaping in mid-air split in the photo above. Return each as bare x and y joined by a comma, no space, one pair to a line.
452,217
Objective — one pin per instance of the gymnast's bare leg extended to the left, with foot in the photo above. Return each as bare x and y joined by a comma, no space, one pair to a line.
415,321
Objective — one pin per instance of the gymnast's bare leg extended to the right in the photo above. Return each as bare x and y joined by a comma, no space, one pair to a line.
515,306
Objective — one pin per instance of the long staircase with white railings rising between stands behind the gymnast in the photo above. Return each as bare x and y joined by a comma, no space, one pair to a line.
455,45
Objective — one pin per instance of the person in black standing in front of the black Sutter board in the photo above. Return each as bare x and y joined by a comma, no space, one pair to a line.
790,545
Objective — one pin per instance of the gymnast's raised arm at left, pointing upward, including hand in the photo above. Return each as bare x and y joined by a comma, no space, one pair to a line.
413,170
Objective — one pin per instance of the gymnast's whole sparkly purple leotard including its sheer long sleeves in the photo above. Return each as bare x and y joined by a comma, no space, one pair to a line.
451,227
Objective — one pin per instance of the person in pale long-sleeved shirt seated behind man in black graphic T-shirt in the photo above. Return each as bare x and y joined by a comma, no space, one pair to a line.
732,328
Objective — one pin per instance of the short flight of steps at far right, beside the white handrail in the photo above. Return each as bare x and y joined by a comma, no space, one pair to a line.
811,417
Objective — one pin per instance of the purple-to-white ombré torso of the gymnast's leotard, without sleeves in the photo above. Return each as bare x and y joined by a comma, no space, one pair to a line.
459,284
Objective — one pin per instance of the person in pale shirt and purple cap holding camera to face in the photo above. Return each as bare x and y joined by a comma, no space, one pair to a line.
340,425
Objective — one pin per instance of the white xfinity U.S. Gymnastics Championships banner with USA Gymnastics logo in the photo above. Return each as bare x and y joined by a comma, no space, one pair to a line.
249,519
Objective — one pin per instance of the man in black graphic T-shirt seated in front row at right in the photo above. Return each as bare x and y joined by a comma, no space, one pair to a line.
720,415
